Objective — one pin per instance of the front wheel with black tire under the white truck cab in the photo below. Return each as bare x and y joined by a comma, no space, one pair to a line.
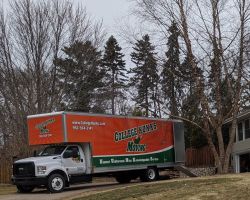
56,183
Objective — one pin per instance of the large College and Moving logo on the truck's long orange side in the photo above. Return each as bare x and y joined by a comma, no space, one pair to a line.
136,134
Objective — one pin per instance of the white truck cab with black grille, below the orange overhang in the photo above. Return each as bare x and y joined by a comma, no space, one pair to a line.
55,167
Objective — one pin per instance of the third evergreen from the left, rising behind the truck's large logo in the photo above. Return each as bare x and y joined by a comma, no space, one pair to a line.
145,75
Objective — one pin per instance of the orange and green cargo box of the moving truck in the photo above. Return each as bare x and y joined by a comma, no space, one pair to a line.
114,140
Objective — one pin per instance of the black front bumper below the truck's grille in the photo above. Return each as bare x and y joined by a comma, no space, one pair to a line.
34,181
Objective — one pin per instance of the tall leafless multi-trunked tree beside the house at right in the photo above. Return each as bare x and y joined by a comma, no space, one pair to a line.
216,53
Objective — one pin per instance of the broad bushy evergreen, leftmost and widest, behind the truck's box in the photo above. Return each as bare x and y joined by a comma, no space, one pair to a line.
80,76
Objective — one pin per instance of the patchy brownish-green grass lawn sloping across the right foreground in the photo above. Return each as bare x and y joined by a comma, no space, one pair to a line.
217,187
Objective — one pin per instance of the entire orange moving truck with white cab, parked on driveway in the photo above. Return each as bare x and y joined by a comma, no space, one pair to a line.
80,145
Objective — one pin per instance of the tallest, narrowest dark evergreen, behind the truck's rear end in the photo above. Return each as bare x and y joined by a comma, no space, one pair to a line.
171,74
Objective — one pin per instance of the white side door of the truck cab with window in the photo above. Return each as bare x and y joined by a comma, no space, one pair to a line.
74,160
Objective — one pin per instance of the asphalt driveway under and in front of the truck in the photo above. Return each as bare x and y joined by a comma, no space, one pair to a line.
67,194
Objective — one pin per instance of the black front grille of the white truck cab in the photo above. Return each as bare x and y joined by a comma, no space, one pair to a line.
24,169
